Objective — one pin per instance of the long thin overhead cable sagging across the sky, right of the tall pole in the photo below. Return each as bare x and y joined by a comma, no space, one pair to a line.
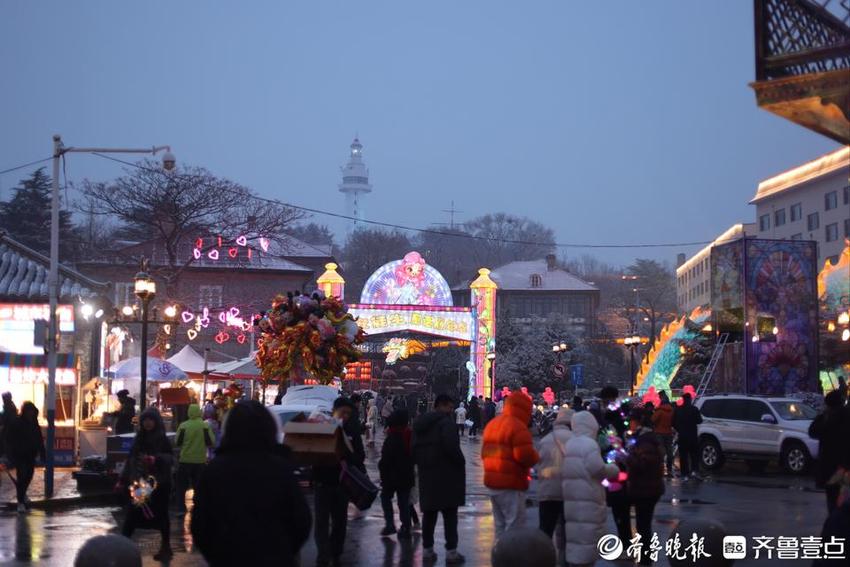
439,232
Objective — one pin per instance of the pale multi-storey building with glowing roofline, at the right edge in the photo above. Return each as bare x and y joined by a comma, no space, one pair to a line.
808,202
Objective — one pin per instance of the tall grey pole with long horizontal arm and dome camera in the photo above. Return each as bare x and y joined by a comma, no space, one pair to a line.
59,150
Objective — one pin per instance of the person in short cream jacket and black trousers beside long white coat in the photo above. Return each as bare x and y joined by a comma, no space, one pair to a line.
553,448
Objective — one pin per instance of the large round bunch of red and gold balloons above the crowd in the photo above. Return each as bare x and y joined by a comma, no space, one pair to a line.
307,337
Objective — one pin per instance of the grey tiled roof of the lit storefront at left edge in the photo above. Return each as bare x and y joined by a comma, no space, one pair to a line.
23,275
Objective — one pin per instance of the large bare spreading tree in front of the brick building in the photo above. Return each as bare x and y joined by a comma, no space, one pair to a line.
172,209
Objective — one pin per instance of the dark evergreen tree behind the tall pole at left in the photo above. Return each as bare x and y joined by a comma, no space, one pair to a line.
26,216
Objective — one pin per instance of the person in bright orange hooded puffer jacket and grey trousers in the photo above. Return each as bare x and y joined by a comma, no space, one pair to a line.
508,452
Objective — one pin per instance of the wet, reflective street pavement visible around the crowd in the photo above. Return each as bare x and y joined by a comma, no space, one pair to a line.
769,503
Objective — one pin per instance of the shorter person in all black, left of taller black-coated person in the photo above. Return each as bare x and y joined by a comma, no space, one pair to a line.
397,475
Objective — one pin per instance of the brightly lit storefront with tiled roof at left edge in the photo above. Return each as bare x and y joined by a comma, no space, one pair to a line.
24,312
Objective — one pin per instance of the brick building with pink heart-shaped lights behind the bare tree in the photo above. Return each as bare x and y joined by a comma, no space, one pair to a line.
221,286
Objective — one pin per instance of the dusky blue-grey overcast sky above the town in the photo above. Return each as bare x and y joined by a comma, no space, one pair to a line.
612,122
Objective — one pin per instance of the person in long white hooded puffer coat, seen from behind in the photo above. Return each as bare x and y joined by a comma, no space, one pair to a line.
582,474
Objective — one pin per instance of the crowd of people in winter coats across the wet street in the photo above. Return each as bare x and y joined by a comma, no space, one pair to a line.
248,507
